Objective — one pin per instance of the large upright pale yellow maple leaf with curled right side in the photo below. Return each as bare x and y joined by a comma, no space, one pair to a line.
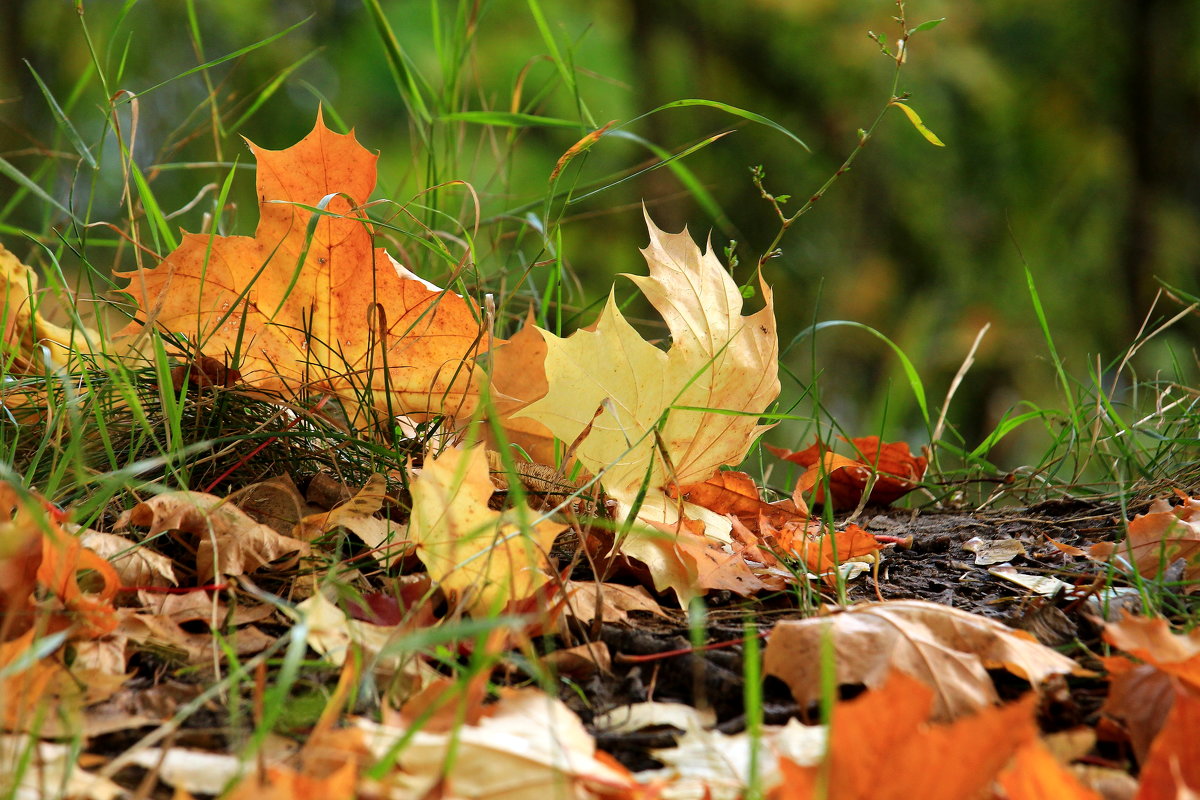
665,417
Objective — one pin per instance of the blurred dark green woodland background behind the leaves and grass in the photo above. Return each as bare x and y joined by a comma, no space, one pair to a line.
1072,133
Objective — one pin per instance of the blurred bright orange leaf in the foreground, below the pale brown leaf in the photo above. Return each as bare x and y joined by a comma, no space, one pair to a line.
883,748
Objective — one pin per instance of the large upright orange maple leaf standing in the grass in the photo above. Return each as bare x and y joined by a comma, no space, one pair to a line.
311,304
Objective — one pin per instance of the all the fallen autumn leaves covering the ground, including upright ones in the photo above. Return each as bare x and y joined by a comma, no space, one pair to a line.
470,624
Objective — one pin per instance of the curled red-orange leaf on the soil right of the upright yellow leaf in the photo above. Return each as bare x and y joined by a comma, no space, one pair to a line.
896,470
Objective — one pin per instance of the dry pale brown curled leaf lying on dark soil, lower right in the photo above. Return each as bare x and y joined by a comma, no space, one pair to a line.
945,648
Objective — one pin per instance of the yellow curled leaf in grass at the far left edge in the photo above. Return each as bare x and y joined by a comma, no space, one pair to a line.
26,332
